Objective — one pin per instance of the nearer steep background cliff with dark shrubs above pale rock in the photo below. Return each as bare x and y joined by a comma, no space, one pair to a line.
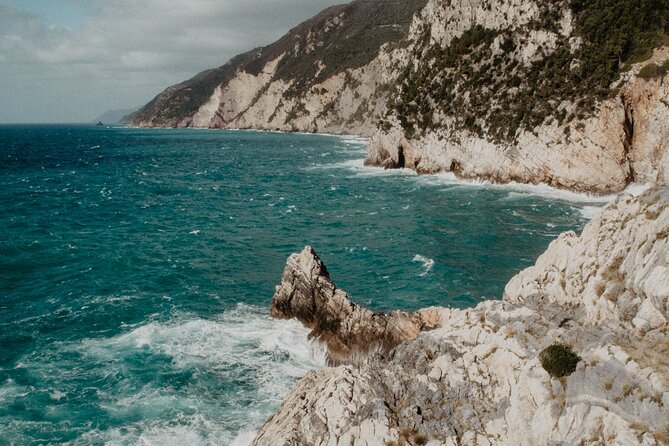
517,90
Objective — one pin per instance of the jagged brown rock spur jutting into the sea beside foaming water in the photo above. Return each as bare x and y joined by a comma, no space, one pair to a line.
349,331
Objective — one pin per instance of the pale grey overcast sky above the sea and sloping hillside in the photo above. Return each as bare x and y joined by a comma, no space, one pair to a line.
72,60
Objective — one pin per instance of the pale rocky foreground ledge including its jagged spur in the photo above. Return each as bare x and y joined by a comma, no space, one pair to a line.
479,375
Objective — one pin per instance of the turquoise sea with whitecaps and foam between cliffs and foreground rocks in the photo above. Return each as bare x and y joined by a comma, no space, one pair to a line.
137,268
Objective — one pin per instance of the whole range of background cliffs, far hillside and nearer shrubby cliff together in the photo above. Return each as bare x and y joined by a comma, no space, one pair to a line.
572,93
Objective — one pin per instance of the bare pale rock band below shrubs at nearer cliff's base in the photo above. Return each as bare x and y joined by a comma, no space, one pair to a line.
626,140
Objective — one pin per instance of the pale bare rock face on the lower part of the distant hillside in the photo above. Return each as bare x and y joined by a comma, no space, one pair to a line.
349,102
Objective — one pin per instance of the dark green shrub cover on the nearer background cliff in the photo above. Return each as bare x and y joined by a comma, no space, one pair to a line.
481,82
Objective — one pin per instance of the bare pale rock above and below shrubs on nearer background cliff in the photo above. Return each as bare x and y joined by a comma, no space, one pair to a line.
593,154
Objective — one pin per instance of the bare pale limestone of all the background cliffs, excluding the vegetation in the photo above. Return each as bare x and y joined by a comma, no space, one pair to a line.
625,140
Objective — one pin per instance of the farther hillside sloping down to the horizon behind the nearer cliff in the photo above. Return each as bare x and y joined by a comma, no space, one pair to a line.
321,76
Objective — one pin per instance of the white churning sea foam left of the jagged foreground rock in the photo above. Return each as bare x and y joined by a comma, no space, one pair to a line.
243,344
